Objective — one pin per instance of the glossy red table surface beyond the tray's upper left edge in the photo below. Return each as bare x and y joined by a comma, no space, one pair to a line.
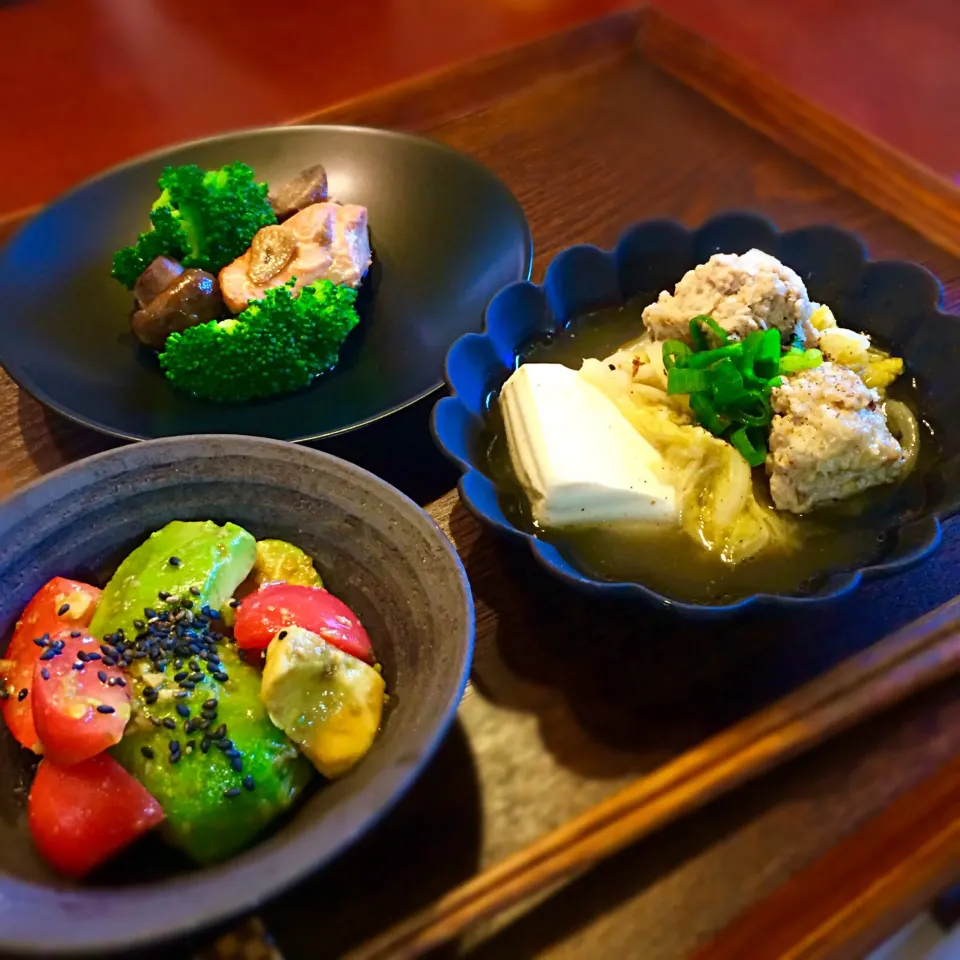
86,84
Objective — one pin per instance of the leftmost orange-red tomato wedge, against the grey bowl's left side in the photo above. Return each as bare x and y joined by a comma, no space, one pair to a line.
41,617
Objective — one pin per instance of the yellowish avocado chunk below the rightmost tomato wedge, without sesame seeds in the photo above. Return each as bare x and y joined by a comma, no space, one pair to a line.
326,701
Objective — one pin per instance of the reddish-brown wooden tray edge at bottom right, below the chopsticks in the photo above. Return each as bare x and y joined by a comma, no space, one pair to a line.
861,891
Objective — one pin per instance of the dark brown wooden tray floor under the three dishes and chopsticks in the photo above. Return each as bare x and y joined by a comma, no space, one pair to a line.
569,700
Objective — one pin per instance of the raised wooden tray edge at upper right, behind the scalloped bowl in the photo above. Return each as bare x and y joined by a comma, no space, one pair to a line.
887,178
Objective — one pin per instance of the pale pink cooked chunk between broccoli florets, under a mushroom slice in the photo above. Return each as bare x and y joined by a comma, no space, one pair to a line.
333,243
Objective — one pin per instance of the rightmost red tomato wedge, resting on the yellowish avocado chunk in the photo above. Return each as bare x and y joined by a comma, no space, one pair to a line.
277,605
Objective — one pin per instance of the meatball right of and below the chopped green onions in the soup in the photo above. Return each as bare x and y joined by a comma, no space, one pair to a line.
829,439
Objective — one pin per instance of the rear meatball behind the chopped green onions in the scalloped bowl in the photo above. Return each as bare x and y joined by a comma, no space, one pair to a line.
742,292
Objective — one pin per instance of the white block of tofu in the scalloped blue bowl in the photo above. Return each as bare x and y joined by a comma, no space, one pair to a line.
576,455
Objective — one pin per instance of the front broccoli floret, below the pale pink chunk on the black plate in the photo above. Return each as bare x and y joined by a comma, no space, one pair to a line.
277,345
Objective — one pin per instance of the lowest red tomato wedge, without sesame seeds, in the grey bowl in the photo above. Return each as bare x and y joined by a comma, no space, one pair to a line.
81,816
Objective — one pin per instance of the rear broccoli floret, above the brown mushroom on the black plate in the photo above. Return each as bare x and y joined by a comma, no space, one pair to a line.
205,219
